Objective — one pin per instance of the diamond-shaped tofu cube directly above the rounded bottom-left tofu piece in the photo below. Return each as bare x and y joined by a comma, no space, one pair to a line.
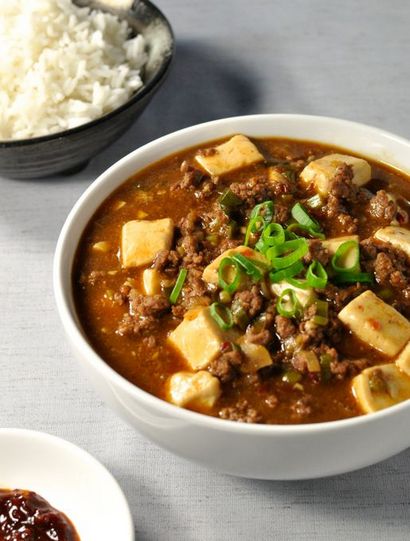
199,338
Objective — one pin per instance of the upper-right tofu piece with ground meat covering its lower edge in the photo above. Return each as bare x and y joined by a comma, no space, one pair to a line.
320,172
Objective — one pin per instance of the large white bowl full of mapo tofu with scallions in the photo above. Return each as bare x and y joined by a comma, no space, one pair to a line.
239,291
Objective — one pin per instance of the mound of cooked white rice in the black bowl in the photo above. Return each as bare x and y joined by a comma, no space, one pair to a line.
62,66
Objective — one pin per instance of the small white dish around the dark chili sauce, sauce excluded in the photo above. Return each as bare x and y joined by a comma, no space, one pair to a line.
70,479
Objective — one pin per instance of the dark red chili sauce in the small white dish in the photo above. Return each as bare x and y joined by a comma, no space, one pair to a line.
26,516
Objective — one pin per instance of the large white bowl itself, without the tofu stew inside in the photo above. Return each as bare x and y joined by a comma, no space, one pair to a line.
258,451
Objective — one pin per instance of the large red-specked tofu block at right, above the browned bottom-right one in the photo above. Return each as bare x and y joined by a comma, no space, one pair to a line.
376,323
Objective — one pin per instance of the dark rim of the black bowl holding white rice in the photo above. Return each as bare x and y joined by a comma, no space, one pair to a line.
146,88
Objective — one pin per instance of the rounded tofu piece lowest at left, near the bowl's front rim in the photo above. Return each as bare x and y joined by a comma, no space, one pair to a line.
200,390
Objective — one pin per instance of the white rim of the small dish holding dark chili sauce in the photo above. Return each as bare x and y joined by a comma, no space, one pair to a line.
80,454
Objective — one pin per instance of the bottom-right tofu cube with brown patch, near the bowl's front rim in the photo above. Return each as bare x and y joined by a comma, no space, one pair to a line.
380,387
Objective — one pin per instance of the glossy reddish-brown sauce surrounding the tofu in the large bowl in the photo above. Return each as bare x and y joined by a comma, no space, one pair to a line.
149,194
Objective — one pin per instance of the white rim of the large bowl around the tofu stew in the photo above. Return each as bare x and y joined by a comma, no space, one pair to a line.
77,335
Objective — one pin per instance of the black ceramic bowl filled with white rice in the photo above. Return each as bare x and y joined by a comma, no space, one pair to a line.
75,75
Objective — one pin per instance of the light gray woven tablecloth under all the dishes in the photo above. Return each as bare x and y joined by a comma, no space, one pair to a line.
348,59
